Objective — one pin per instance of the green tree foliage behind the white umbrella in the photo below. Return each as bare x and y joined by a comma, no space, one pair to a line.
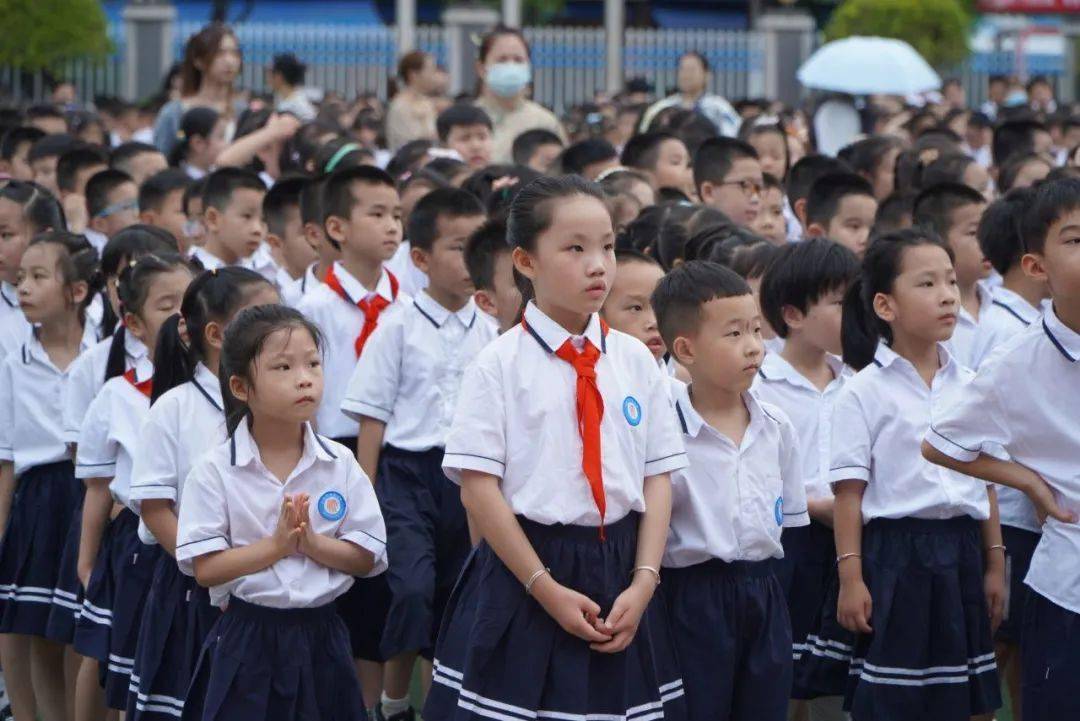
937,29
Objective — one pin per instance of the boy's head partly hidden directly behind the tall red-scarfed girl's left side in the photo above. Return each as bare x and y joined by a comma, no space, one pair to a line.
491,267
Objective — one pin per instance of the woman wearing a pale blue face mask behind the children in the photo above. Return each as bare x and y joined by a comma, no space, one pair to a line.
505,75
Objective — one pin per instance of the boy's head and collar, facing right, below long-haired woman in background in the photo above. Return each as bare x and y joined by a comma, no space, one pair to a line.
233,216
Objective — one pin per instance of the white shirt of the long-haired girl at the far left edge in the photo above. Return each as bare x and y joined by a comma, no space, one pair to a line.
32,389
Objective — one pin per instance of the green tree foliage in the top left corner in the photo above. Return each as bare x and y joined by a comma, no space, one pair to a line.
43,35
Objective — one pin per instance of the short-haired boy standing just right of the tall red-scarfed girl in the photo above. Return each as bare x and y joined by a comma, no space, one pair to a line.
727,609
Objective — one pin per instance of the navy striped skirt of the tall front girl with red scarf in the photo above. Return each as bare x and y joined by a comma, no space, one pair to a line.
499,655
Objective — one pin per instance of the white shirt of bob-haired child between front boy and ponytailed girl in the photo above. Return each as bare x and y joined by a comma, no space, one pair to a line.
809,410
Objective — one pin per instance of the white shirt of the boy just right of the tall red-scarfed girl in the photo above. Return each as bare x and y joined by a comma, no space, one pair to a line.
733,502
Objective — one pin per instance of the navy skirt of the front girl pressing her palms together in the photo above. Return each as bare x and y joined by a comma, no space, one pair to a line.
262,664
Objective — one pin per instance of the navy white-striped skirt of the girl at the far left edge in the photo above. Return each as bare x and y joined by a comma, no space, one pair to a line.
33,581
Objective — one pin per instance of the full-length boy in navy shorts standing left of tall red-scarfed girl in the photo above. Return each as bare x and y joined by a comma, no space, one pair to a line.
403,392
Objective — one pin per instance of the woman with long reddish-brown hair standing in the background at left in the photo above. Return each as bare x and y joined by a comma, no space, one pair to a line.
212,63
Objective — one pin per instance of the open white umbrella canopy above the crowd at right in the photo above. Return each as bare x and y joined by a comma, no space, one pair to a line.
865,66
